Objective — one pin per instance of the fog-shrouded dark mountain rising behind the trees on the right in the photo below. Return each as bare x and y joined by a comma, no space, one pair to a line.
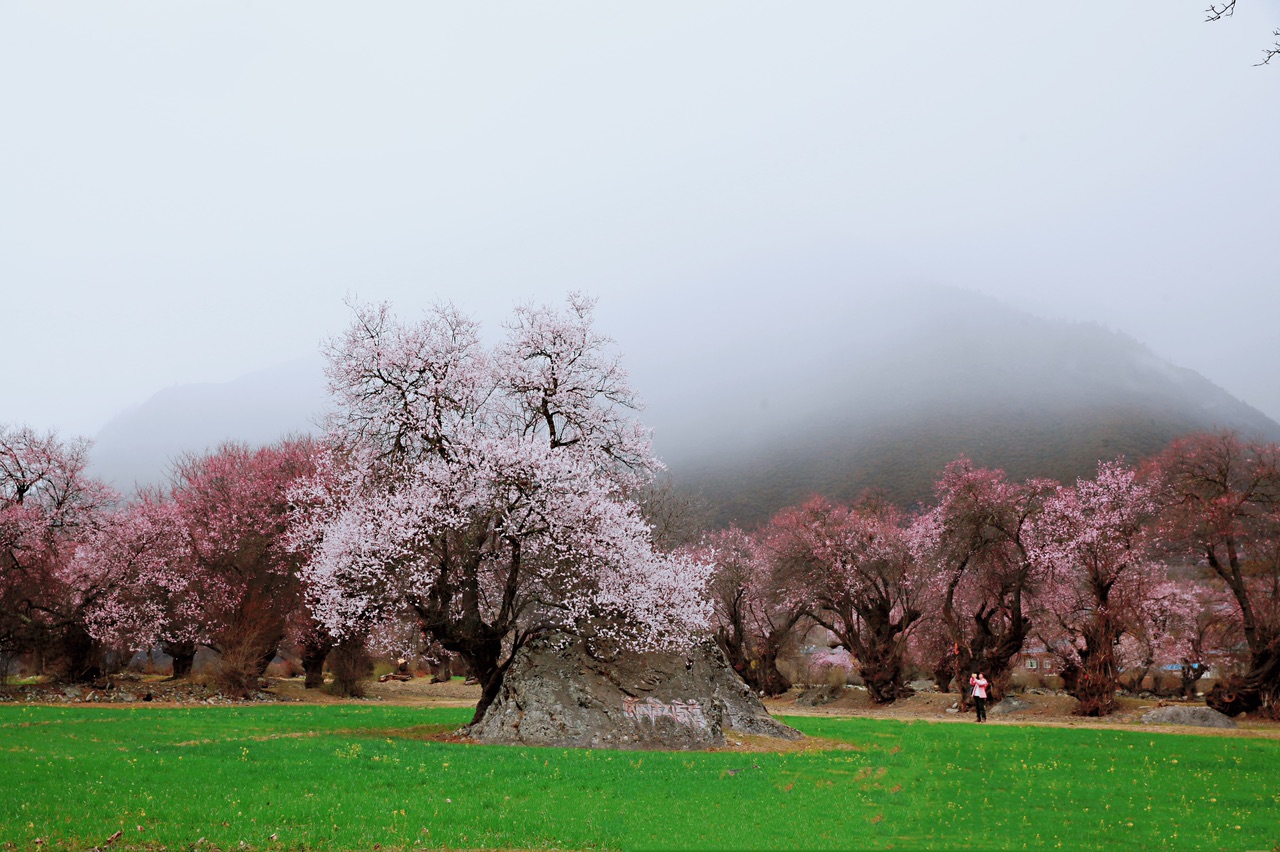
917,381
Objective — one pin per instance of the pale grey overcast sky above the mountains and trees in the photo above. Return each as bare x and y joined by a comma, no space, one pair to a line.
189,191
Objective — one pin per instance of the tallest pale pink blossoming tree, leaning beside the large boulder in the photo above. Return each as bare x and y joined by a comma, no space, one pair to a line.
486,489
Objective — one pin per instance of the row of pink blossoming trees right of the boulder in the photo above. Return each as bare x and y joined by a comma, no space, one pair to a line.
1169,565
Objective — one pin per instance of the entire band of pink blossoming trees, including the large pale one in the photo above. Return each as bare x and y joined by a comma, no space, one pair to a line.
472,496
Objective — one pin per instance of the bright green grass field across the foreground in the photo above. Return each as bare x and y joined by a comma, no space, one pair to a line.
342,777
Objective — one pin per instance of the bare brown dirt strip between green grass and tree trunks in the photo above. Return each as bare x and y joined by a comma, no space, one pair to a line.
1044,708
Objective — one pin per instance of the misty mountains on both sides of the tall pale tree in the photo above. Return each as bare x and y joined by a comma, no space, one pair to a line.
796,397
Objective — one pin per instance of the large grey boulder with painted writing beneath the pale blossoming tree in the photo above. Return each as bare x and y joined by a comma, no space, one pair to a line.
560,693
